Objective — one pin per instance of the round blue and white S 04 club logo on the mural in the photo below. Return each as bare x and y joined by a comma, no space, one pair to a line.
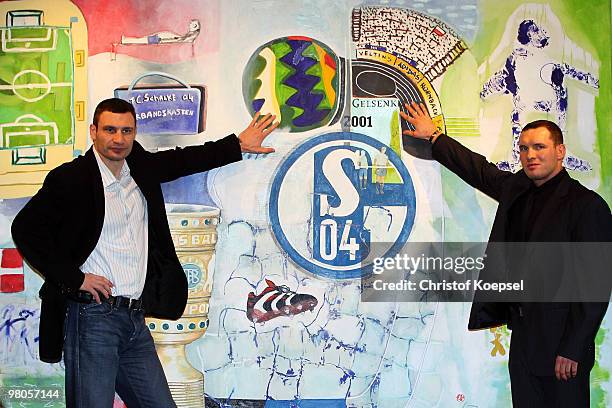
334,196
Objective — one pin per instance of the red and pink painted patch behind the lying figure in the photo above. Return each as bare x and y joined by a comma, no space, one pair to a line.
108,21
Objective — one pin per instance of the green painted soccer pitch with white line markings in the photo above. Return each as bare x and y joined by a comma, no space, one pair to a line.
29,75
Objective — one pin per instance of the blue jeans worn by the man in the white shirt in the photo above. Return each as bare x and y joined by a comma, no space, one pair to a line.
107,349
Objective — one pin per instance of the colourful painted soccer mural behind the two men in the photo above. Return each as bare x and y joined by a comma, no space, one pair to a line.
271,246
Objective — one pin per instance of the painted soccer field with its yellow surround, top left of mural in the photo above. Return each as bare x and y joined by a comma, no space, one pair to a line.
42,92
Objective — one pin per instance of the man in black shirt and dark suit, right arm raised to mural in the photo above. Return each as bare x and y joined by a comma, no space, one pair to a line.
552,348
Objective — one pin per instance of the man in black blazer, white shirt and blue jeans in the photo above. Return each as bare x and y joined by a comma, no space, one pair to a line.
97,232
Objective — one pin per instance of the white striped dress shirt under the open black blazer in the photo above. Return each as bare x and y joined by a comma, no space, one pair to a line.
121,252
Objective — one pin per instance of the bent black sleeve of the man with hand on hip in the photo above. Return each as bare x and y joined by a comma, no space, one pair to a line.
34,232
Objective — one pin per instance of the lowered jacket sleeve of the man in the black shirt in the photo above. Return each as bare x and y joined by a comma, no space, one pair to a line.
593,225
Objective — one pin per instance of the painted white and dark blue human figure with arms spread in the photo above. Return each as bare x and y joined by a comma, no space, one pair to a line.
535,83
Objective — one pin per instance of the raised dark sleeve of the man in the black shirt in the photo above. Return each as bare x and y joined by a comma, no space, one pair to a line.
471,167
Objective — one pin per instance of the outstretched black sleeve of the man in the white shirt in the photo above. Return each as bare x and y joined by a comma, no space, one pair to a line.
169,165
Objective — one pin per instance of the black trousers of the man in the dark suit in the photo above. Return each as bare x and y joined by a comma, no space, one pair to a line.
531,391
